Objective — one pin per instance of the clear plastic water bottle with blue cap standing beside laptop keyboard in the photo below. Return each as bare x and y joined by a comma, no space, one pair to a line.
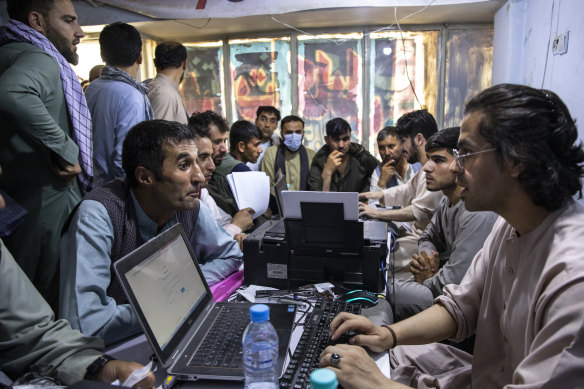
260,350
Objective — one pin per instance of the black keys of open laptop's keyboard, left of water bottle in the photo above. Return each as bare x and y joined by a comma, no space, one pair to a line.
222,344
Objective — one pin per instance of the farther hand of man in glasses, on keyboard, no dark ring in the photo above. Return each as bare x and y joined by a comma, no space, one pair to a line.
369,335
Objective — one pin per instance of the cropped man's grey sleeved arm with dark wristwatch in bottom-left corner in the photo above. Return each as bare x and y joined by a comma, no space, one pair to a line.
31,340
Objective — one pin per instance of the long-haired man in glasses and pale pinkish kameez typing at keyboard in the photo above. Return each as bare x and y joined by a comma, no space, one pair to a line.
518,156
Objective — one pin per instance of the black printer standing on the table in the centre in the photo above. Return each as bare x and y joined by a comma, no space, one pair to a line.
321,246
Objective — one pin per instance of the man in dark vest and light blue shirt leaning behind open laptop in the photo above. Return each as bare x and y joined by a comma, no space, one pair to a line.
161,189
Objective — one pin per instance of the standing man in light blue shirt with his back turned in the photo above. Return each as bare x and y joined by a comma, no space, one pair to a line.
116,100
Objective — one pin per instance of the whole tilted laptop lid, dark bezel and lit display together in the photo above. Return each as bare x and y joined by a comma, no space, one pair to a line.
166,288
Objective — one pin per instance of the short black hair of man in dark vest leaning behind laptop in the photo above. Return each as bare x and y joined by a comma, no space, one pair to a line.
144,146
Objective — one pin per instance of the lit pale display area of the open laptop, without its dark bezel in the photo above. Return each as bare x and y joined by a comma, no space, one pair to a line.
168,288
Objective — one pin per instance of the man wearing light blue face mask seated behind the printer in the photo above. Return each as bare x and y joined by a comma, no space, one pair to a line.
290,158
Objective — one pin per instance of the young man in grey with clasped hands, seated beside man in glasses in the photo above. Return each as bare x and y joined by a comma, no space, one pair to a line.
449,243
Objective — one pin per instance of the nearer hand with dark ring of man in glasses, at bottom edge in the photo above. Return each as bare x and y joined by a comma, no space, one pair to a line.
355,369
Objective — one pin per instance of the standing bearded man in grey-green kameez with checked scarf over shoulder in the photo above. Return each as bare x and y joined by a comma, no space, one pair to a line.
45,132
